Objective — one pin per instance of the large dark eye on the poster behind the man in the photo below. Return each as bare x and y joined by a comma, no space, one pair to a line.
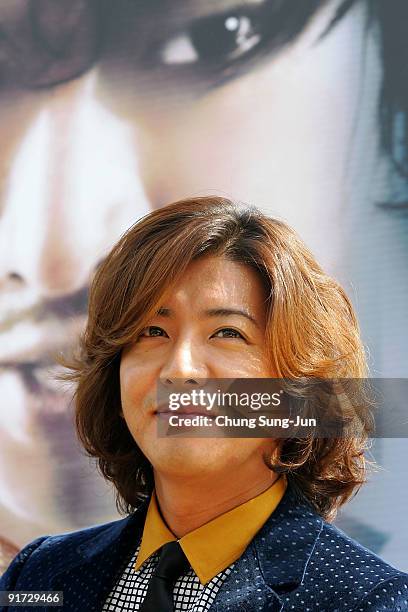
213,39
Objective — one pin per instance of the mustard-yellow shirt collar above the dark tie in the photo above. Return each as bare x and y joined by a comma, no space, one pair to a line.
216,544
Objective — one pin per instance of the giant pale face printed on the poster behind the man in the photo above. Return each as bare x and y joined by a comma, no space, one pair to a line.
154,121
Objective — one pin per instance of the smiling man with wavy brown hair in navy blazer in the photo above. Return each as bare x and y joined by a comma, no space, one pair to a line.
199,291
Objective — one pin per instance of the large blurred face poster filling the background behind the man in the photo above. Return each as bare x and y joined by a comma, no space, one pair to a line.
111,109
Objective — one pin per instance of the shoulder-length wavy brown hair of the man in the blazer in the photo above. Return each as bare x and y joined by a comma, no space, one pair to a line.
311,331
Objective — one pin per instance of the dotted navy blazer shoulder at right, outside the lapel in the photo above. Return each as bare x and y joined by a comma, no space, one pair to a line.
349,576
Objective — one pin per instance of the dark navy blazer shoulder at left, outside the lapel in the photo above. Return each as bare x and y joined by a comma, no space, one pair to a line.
47,555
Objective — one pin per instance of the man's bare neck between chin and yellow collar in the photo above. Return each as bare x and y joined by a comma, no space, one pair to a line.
186,504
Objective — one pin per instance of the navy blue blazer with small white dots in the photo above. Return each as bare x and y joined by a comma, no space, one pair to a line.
296,562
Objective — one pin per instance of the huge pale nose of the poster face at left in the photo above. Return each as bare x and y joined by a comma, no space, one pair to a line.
72,191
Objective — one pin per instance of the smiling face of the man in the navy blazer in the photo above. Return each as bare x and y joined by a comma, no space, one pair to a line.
195,338
